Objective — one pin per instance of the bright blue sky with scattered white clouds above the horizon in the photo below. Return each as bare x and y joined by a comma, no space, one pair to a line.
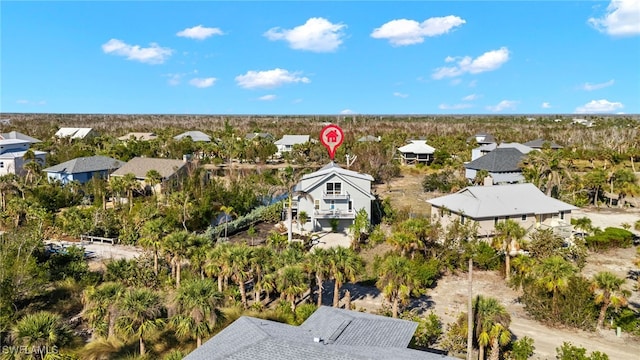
326,57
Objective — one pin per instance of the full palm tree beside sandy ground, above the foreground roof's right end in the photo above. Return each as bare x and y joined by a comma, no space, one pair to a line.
397,280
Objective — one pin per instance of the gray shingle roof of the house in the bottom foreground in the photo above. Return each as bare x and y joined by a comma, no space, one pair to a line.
329,333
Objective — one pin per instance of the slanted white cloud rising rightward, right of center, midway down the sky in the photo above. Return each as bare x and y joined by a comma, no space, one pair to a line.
489,61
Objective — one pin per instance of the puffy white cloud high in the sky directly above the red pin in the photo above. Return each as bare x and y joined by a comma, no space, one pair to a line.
317,35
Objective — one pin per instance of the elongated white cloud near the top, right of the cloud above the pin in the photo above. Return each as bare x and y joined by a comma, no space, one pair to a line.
402,32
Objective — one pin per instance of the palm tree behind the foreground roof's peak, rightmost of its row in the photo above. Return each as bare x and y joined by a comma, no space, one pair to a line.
344,265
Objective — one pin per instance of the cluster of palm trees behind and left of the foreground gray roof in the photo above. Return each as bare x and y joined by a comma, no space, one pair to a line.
215,275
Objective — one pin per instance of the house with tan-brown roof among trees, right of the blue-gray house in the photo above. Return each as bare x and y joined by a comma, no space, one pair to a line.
169,169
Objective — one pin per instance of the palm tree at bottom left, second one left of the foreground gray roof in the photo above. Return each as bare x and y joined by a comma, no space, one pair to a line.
141,311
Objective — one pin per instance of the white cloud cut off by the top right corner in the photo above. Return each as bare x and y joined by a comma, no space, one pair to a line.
621,19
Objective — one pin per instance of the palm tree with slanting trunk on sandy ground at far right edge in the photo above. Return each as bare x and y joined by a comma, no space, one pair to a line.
609,292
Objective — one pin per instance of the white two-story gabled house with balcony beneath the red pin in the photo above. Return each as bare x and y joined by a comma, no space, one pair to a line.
337,193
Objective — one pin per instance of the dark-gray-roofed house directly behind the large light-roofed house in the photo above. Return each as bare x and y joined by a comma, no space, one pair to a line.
502,164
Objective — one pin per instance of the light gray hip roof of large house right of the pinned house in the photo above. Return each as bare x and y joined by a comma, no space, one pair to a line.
479,202
